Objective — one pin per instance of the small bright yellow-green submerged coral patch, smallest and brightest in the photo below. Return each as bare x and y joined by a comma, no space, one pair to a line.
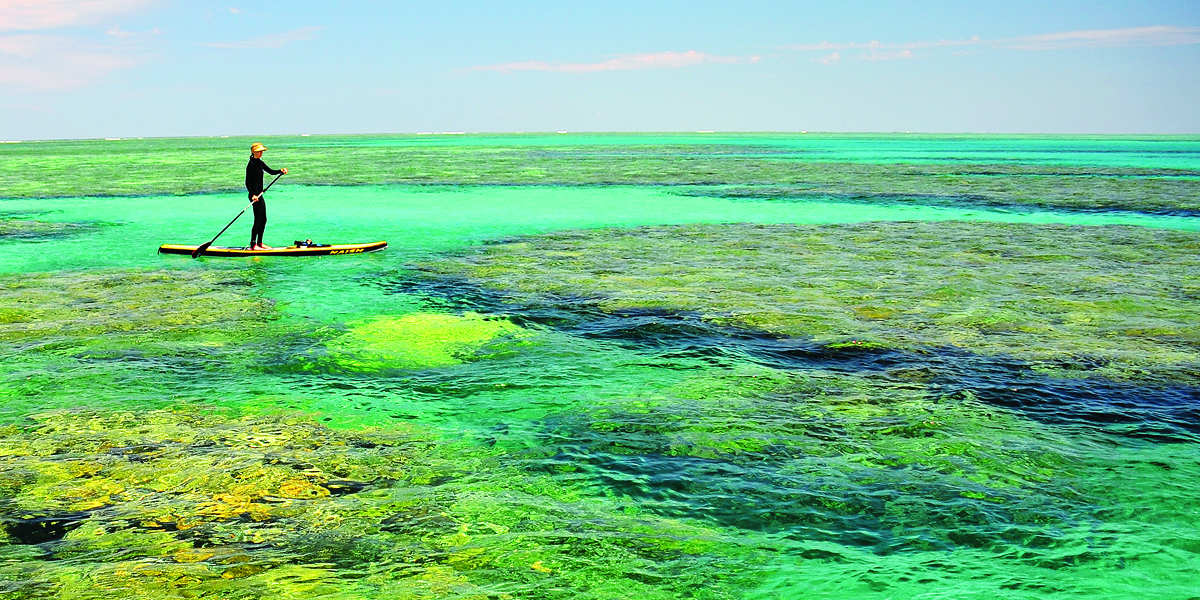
417,341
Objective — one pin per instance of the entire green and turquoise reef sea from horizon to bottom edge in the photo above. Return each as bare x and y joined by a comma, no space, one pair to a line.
538,391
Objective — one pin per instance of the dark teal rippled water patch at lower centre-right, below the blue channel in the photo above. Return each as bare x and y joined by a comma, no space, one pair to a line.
808,497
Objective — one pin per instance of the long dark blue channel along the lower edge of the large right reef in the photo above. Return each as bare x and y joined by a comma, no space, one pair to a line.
1159,412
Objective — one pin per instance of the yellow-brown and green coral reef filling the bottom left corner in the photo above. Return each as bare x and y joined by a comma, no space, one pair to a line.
200,502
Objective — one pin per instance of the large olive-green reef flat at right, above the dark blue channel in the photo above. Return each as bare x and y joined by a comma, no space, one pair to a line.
1118,302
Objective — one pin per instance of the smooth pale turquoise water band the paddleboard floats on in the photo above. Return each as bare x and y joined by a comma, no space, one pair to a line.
418,220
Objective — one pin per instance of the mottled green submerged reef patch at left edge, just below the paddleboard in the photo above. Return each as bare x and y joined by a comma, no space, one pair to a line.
111,338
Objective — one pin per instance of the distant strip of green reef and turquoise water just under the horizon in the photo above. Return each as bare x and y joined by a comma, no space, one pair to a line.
1151,175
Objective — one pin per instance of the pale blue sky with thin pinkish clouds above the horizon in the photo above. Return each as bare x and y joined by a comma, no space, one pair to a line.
94,69
